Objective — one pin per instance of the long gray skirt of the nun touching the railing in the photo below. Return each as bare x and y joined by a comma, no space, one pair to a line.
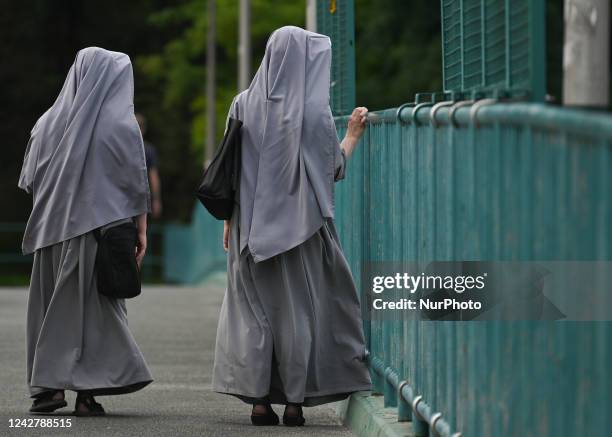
290,326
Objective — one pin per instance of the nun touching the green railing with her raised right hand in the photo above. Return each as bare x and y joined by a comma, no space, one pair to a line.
290,328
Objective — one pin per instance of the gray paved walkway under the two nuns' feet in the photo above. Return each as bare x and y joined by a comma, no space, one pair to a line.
175,328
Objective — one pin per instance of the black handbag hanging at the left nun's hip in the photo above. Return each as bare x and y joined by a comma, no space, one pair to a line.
117,272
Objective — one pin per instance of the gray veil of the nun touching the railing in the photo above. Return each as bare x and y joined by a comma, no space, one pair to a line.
289,144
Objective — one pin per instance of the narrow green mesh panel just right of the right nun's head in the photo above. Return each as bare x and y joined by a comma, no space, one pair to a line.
336,18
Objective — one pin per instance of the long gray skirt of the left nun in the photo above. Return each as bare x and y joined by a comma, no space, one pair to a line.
78,339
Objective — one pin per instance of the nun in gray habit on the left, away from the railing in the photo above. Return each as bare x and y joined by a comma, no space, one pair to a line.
85,168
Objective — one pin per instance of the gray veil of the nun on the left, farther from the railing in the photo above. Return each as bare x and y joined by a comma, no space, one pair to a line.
84,164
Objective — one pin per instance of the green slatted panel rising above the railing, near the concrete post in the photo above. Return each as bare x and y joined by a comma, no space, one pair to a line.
494,48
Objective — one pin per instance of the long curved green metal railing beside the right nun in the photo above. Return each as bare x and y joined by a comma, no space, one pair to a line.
453,181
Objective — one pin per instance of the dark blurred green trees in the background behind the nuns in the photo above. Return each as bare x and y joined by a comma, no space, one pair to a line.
398,54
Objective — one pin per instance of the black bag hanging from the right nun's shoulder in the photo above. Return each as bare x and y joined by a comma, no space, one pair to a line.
222,177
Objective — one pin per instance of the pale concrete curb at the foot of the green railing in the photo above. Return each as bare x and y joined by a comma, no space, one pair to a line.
366,416
